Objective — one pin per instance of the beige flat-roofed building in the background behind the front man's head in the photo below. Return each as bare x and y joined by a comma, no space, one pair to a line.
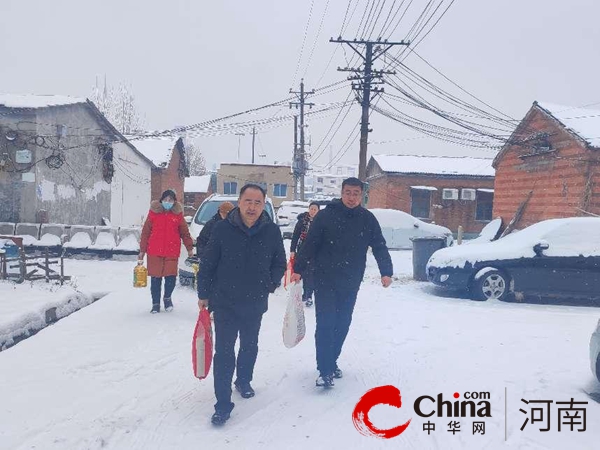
276,180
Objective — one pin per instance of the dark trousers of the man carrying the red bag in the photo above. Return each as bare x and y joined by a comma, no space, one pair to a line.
228,324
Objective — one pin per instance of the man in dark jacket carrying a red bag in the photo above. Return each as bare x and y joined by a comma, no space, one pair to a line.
243,262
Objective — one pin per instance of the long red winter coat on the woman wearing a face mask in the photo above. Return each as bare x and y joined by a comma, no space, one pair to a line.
161,239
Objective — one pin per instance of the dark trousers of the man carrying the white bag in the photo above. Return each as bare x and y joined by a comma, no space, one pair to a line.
334,308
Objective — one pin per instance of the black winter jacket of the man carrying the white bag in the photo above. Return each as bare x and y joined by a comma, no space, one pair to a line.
337,241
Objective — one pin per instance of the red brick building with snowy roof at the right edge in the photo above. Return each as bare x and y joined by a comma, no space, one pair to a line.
553,154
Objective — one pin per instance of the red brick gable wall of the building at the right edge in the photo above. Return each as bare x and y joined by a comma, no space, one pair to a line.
558,179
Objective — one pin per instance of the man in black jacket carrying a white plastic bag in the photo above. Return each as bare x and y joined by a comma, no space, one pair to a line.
337,242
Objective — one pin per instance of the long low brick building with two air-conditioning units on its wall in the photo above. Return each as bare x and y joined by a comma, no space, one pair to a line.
448,191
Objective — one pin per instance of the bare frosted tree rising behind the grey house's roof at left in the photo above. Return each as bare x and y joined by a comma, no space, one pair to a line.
118,106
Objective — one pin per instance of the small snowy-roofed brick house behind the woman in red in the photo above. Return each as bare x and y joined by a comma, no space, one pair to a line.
168,155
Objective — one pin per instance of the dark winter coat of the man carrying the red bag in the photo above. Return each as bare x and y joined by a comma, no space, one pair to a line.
241,265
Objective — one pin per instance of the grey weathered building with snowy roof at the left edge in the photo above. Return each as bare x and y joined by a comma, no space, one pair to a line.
62,161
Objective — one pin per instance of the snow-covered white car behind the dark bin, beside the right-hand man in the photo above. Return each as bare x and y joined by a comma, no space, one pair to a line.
399,228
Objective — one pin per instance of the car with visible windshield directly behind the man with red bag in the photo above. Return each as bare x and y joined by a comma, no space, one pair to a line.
205,212
